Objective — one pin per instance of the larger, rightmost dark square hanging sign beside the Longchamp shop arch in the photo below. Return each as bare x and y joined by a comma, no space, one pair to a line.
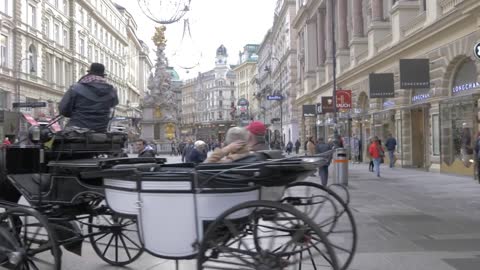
414,73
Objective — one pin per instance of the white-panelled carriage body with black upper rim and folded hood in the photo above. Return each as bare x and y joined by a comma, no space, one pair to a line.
176,203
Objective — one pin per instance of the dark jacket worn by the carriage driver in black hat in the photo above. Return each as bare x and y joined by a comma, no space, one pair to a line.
88,104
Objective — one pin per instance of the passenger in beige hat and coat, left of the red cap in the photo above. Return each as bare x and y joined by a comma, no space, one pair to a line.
236,147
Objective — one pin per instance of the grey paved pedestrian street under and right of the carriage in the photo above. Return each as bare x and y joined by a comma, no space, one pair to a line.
407,219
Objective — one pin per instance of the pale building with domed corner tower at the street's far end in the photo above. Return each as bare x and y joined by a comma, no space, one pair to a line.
207,101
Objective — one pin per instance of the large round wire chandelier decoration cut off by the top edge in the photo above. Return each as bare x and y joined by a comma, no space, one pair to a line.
164,11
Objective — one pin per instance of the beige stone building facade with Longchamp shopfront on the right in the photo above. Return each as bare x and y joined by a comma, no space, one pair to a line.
436,128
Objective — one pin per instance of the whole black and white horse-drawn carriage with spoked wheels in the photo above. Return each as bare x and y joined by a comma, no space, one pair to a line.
251,214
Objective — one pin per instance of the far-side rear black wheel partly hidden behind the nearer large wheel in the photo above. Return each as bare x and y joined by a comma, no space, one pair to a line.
340,228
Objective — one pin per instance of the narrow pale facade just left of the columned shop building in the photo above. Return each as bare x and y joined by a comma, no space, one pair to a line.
278,65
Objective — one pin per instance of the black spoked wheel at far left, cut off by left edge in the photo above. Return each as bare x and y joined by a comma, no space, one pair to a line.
30,241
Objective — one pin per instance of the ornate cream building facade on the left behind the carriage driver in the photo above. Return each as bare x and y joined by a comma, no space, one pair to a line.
45,46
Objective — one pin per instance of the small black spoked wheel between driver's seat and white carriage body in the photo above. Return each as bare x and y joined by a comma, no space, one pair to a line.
115,239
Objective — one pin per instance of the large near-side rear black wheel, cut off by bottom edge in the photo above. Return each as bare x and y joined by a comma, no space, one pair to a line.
285,233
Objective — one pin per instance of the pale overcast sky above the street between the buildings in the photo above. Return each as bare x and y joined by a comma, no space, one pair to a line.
232,23
